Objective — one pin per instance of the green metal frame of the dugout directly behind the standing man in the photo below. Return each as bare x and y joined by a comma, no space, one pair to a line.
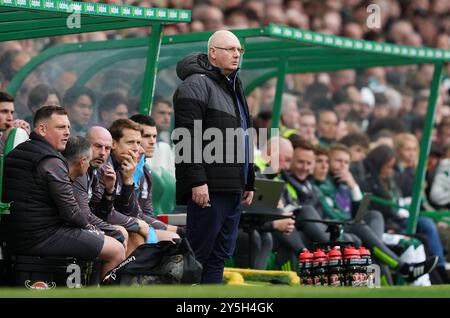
277,51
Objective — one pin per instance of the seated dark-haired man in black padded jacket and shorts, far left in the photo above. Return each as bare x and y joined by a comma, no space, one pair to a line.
45,218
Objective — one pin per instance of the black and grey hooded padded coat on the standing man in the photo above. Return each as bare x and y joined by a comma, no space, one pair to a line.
207,95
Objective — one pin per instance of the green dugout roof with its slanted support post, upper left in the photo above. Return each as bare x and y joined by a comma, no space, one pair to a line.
28,19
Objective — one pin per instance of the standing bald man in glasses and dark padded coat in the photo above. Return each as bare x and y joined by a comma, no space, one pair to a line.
211,96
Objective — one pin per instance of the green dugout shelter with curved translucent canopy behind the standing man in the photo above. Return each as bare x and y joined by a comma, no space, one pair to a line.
270,52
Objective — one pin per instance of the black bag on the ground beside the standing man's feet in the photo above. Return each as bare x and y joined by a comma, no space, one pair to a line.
162,263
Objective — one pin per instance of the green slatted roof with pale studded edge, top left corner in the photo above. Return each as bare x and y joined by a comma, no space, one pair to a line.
25,19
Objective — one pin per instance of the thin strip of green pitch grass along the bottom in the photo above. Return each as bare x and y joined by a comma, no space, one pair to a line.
234,292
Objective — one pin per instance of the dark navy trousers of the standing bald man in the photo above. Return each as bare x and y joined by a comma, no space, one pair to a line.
212,232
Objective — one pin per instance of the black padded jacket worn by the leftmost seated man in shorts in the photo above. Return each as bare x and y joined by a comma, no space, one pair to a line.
37,210
